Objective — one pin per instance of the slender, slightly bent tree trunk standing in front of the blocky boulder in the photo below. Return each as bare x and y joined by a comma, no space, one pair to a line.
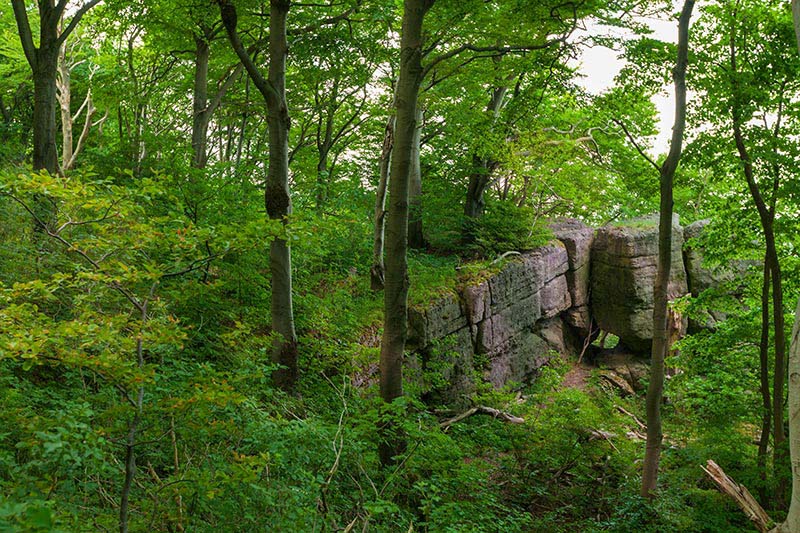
655,388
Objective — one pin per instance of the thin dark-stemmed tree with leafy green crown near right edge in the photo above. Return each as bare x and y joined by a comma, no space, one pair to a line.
748,93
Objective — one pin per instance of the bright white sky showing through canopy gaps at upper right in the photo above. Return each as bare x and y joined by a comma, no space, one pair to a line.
600,65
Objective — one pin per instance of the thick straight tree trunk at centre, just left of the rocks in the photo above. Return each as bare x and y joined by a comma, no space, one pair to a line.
395,294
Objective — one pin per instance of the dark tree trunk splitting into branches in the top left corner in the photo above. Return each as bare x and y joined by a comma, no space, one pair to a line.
43,60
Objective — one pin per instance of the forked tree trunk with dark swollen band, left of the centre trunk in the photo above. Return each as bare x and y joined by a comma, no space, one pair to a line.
276,196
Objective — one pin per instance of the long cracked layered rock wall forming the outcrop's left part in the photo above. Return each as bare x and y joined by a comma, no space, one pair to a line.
511,320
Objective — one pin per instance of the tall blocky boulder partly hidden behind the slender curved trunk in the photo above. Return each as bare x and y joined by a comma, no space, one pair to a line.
624,264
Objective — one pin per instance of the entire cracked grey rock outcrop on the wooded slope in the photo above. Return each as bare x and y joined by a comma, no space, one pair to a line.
503,329
